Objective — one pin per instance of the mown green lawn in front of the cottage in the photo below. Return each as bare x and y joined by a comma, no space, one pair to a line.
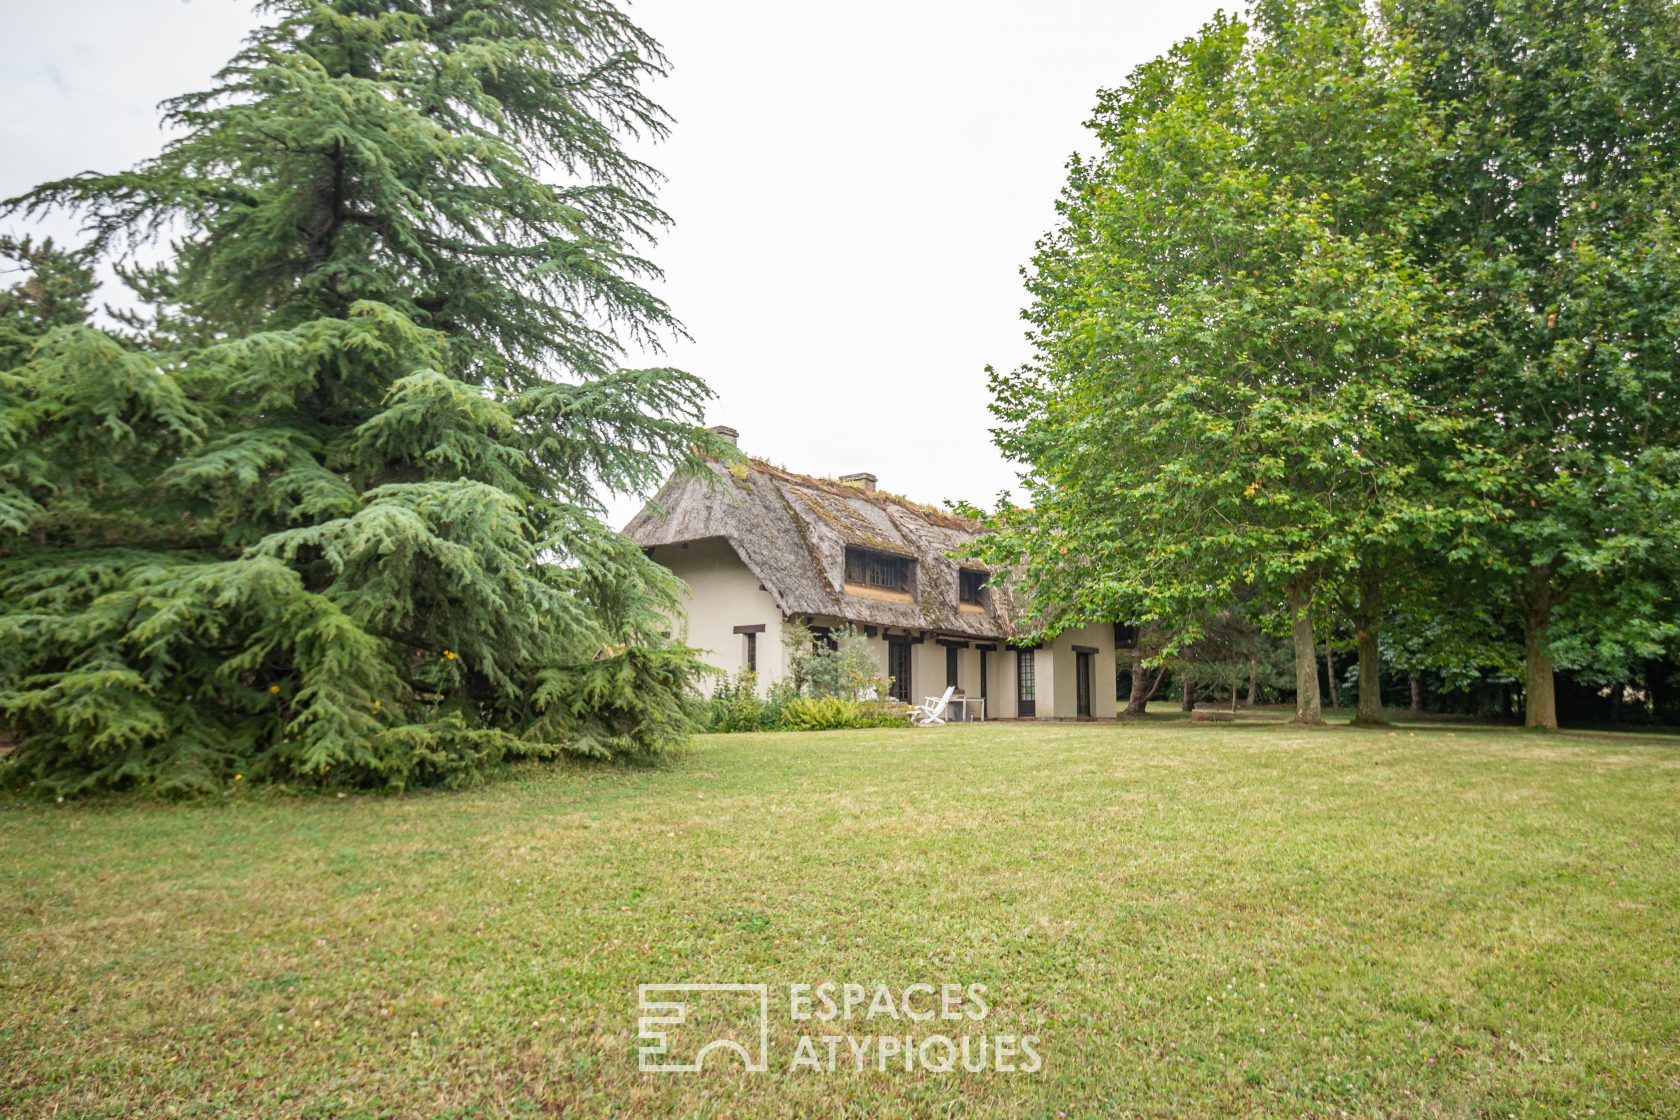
1195,919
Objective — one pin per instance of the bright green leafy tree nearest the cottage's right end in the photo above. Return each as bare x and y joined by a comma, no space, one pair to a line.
1227,327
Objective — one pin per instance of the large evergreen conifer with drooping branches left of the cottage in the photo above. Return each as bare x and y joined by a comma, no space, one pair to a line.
328,513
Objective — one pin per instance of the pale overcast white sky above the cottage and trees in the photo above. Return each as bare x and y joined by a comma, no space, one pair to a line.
854,191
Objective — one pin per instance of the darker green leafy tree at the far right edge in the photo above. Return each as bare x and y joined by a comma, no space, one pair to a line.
1557,243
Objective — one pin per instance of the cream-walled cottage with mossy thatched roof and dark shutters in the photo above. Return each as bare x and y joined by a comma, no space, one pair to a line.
762,548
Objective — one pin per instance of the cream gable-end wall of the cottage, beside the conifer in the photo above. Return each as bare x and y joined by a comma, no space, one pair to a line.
723,594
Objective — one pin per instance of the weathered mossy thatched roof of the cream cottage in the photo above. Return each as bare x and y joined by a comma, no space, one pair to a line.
792,531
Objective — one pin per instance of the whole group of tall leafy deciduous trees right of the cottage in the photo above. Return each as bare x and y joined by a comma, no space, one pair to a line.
1370,315
